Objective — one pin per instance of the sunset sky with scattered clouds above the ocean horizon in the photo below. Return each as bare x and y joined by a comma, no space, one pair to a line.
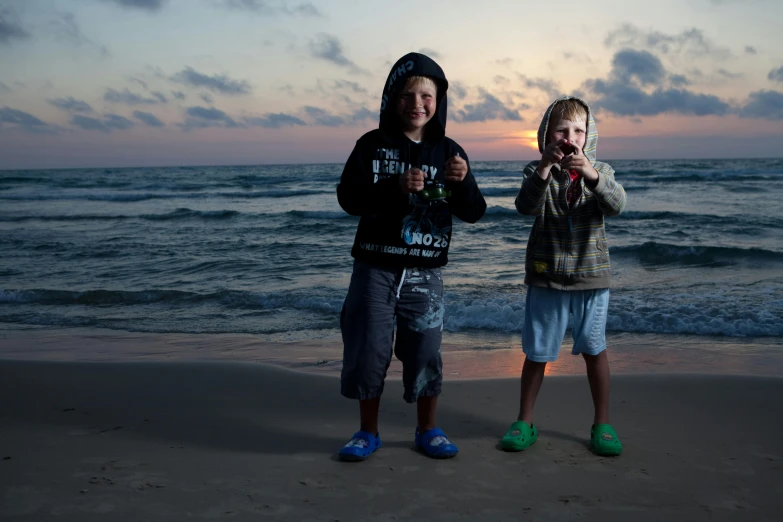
100,83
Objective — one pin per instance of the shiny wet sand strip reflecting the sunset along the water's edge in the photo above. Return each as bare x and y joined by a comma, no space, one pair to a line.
466,356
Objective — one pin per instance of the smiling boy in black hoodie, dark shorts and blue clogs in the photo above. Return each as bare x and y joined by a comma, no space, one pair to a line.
405,179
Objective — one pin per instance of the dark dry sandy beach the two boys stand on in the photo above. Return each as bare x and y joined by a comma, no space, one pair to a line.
178,441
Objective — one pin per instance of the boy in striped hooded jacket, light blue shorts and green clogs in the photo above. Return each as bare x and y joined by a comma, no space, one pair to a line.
567,268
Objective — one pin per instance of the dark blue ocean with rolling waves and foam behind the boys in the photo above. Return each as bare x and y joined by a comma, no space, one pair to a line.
265,250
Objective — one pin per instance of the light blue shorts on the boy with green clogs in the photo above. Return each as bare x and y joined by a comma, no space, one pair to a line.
547,314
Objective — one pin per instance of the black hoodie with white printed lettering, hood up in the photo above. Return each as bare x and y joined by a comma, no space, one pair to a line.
397,229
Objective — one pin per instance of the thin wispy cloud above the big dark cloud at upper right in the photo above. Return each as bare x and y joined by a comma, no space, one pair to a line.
690,41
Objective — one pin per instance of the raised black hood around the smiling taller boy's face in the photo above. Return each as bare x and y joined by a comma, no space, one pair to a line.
413,64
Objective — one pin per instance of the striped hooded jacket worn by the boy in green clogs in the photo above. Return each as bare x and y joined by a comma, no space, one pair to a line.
567,248
